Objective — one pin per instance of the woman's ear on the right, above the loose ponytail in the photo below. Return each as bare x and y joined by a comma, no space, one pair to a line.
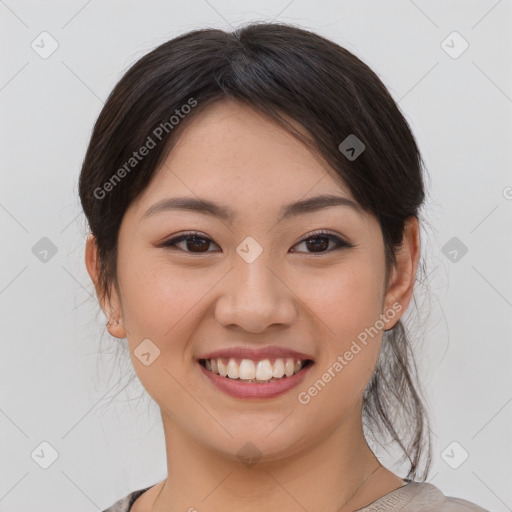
400,286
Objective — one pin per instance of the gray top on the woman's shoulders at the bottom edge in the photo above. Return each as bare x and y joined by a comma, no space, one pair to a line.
412,497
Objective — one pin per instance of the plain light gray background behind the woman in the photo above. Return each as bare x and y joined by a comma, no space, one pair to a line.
54,388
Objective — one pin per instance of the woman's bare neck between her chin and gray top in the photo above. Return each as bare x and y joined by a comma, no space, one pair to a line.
317,478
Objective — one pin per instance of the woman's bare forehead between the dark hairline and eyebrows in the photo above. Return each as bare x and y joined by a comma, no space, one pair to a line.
232,154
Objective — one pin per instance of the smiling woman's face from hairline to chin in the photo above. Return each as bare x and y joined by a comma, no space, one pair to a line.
255,281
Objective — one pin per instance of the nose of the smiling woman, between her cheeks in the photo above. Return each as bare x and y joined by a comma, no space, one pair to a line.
255,297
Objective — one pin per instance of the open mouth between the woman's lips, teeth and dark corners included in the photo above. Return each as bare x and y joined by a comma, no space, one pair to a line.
252,371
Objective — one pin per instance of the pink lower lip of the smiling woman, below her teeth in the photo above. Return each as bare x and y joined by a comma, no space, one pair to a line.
240,389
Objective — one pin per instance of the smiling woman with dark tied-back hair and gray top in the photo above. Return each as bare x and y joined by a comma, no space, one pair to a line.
253,199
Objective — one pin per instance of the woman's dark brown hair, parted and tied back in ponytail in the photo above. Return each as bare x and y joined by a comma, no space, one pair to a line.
278,70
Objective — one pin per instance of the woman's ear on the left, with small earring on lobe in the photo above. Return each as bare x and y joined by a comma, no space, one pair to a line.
112,307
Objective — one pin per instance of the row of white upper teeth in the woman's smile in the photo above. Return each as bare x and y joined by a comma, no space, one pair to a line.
254,371
